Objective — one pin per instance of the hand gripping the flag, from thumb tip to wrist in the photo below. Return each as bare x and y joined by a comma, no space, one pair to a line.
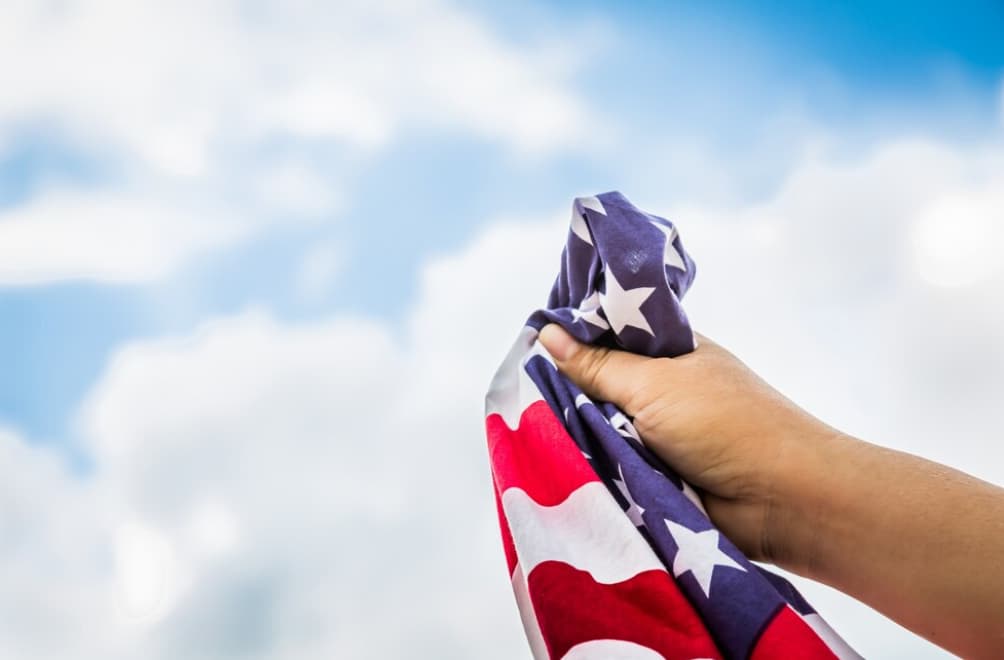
719,425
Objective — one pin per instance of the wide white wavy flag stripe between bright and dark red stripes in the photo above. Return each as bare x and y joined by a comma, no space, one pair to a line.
589,531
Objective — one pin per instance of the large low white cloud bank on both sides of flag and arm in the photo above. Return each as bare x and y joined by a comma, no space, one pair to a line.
322,490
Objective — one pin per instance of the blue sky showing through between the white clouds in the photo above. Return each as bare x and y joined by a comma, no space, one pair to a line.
716,74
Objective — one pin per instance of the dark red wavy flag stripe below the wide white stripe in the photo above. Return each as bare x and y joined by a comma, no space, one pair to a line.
648,610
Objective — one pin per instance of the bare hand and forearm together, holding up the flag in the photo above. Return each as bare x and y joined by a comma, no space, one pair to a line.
919,542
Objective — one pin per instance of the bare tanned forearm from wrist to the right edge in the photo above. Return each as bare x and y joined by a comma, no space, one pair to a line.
921,543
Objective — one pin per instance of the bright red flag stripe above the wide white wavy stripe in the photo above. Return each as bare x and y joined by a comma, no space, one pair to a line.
540,457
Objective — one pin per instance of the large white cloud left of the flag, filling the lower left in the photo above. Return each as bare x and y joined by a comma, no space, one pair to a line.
284,490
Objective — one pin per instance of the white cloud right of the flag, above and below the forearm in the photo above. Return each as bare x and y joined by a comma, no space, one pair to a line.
867,289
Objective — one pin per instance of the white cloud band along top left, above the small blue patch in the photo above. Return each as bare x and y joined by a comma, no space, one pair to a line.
176,85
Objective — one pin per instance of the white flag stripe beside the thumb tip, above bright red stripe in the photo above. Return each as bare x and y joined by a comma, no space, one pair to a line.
512,391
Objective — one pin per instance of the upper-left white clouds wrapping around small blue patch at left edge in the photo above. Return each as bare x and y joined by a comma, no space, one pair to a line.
260,112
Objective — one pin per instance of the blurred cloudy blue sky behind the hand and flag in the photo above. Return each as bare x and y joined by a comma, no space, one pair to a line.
260,261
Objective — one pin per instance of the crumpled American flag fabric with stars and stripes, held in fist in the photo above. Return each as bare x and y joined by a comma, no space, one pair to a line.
611,554
